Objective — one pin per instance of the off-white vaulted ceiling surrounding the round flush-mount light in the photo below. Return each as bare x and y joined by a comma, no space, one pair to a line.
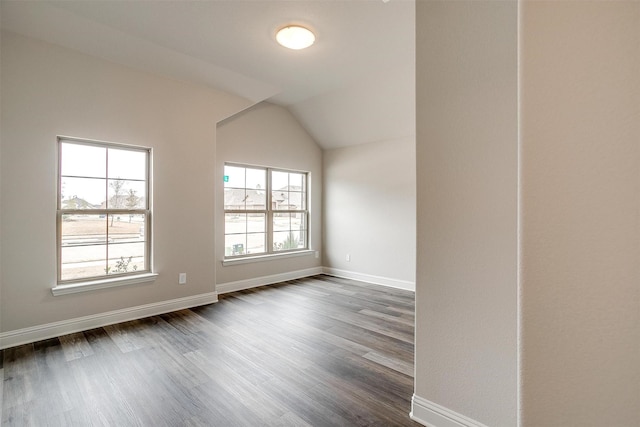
354,85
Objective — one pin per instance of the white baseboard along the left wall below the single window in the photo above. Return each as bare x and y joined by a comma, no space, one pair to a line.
56,329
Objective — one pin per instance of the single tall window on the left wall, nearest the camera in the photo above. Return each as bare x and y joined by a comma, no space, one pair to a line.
103,216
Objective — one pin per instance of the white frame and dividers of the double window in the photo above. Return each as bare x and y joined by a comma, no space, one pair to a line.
270,253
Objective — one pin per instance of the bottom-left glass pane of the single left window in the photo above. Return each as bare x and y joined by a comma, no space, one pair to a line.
79,262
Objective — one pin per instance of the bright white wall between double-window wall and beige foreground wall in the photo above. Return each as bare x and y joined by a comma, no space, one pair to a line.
370,211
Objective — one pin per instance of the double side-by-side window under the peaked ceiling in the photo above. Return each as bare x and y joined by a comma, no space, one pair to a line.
265,210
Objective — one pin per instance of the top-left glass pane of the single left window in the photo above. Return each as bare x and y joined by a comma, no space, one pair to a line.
83,160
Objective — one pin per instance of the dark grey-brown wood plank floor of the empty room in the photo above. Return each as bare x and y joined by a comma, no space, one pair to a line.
319,351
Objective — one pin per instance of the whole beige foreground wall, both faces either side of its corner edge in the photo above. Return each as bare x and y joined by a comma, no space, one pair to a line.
578,192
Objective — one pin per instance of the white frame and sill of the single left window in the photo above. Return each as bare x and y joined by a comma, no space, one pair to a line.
104,281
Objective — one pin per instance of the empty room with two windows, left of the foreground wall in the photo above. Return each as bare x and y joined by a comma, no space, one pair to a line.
175,265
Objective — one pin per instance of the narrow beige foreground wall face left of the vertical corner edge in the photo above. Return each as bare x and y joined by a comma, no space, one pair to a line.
466,153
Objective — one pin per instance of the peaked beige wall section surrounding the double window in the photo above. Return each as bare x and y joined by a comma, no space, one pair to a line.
268,135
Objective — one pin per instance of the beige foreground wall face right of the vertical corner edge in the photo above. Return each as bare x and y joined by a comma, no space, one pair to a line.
580,85
